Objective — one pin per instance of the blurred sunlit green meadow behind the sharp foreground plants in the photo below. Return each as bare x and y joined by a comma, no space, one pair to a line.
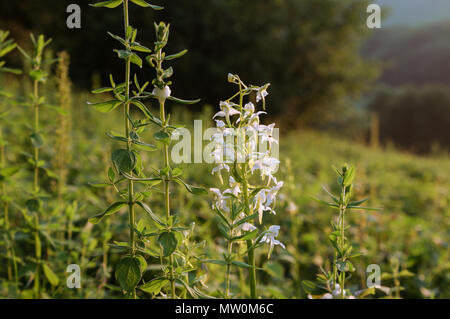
412,227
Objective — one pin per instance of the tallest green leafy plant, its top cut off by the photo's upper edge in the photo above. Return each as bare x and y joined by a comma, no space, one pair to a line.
127,161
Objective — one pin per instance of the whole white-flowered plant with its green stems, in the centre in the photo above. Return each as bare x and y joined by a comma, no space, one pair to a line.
242,150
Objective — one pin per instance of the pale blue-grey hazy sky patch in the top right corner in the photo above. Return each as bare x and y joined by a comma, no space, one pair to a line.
415,12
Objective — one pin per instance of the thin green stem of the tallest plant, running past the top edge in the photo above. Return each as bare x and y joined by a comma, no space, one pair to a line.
127,133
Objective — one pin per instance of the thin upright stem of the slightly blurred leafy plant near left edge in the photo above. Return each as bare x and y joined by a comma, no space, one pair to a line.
37,241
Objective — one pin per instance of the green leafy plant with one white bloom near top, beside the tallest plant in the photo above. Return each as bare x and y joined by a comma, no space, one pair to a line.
171,232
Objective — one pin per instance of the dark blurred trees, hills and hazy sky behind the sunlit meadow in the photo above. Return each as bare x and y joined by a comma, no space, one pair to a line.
327,69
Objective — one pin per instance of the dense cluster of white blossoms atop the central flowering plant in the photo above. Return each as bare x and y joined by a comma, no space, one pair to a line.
242,139
